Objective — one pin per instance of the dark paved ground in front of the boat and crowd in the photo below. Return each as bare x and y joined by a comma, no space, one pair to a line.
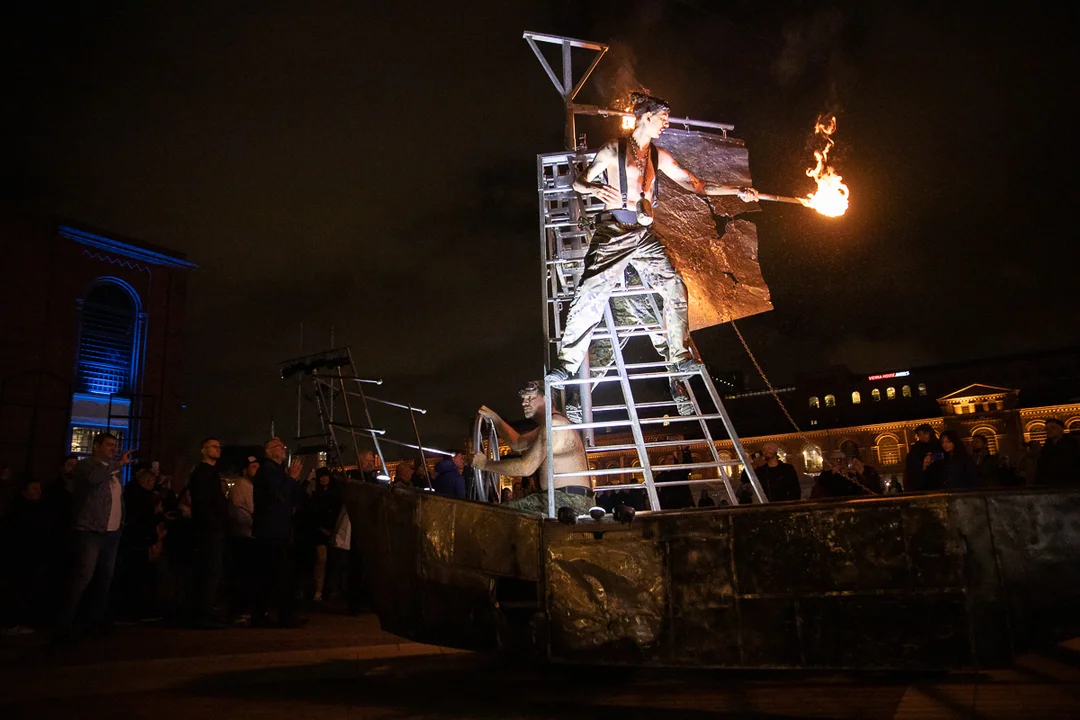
341,667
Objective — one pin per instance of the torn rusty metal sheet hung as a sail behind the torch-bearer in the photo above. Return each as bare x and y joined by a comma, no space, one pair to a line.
715,255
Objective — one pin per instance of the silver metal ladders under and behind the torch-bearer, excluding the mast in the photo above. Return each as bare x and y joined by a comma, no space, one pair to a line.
564,243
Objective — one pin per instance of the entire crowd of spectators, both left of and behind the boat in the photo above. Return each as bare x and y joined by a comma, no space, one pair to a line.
242,548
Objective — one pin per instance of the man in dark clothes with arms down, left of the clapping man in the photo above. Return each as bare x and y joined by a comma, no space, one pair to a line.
210,518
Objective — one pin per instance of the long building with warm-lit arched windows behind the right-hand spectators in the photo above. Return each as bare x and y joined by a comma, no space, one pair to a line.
874,417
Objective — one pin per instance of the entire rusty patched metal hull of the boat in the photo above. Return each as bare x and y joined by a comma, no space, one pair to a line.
922,582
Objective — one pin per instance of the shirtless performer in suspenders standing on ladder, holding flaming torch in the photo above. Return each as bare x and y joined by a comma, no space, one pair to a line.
625,236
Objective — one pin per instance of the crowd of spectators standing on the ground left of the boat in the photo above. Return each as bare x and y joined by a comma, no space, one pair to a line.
235,547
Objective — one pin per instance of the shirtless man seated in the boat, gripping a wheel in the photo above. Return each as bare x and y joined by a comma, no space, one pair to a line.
569,455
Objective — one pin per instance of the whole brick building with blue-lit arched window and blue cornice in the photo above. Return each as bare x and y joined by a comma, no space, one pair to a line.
92,342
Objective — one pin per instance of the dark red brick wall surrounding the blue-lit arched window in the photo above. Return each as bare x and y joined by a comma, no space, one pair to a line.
43,279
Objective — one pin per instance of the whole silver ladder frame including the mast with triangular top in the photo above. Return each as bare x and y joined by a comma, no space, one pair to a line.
564,220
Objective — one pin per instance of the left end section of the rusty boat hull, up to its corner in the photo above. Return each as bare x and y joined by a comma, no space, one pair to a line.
433,566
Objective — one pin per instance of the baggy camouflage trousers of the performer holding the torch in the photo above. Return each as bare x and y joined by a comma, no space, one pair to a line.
615,248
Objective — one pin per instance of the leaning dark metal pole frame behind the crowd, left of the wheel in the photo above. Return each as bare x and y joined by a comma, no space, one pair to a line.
327,388
